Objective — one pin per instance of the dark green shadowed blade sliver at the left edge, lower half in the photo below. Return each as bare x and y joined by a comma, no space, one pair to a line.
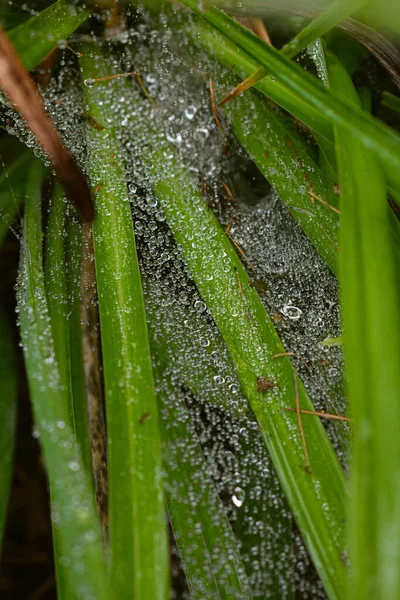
8,402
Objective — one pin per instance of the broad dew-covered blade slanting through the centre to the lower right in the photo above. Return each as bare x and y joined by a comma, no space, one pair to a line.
252,340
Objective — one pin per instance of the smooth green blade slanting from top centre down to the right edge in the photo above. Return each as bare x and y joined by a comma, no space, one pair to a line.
374,135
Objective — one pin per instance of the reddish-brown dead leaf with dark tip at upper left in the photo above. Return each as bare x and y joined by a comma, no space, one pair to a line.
21,90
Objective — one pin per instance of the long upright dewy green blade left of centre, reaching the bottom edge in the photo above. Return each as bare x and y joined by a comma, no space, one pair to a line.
138,541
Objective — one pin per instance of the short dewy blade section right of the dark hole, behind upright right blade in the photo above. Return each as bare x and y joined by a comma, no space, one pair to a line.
282,156
